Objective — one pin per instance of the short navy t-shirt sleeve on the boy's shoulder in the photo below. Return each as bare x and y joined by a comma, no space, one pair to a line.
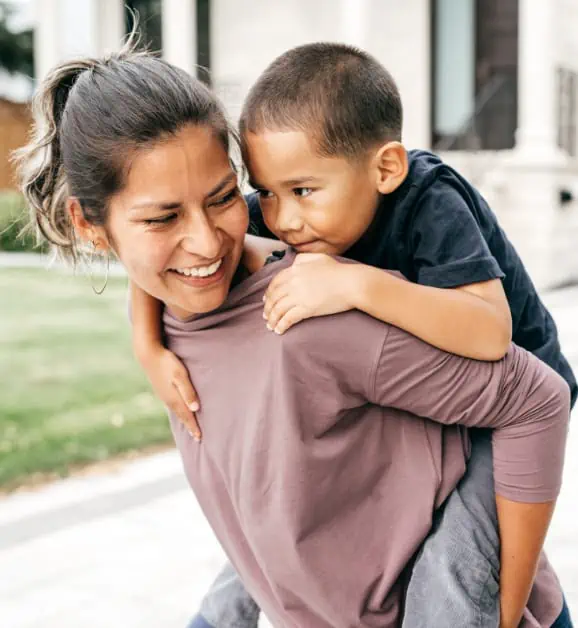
449,249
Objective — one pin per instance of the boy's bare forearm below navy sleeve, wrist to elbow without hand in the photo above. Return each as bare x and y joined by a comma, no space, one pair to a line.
473,321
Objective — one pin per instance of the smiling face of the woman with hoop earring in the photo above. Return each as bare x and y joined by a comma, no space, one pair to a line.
179,223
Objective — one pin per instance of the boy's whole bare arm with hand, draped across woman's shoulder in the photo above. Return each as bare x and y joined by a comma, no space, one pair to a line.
473,321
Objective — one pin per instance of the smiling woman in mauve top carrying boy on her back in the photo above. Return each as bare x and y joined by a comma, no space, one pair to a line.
317,473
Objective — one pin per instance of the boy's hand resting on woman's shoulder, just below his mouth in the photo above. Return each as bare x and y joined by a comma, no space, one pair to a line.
315,285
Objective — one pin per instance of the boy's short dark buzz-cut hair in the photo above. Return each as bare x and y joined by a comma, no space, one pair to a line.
340,95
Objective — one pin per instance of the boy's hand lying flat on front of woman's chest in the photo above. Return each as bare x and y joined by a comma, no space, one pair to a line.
170,381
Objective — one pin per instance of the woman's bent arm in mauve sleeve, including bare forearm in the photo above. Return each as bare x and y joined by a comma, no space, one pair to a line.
526,403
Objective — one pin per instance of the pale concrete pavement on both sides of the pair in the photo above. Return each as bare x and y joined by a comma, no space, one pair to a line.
131,548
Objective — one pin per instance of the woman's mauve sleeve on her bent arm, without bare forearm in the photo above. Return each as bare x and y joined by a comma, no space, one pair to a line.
523,399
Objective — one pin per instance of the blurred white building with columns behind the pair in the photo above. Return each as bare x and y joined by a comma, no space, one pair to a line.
490,84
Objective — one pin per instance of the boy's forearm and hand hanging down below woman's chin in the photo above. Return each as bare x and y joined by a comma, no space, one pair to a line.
168,376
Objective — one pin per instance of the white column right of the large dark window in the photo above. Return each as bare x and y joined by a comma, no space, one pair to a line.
537,133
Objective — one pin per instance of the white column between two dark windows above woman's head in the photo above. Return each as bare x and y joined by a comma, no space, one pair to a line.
179,19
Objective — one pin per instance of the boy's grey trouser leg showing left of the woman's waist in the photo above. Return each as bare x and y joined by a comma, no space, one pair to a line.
227,604
